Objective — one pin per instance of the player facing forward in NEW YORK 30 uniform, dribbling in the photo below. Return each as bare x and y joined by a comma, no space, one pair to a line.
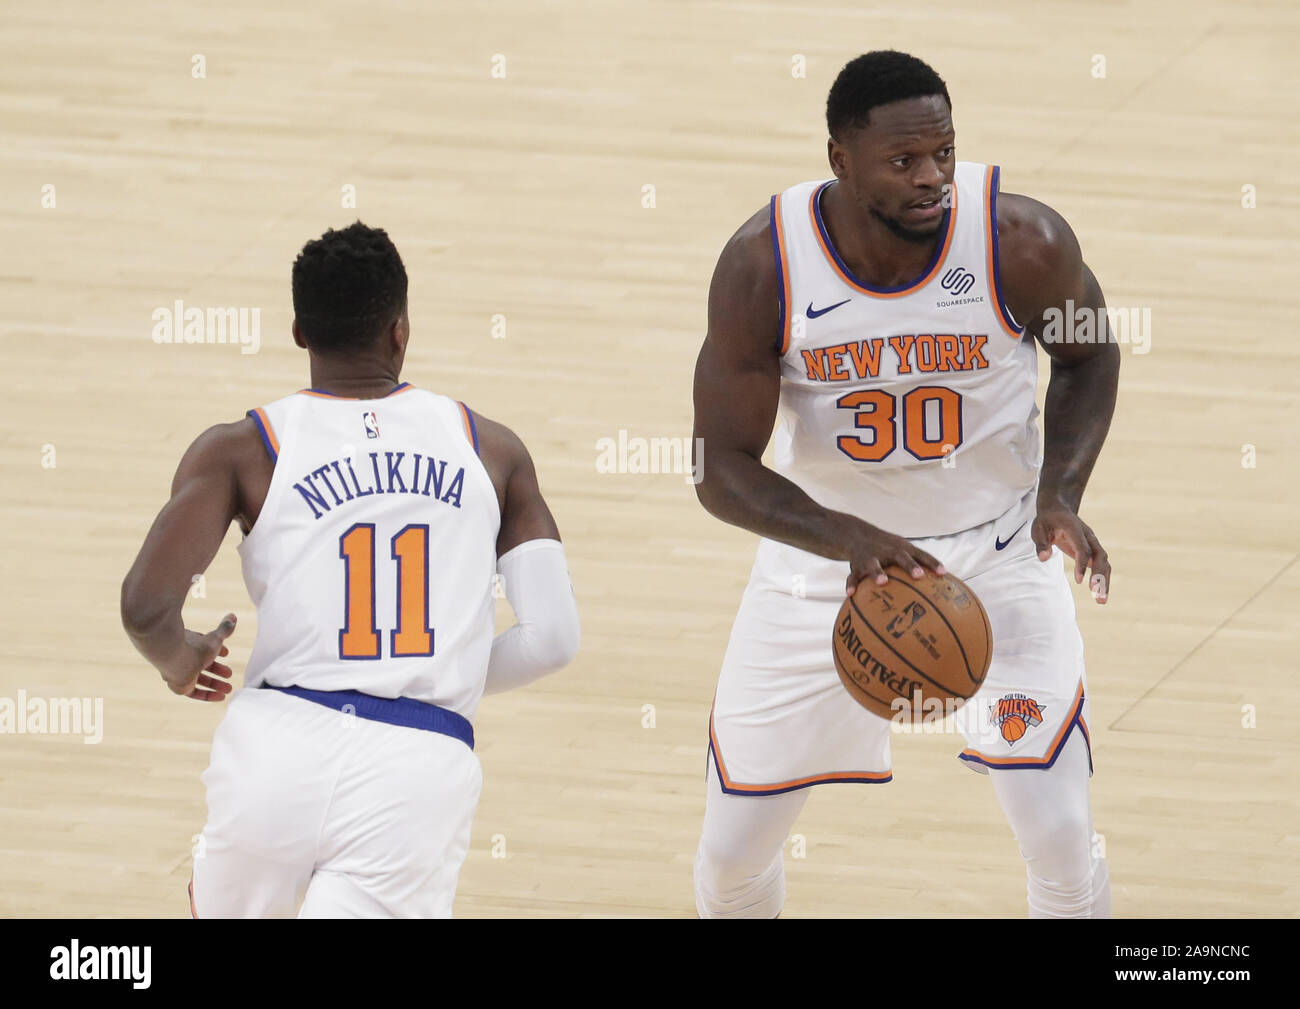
885,322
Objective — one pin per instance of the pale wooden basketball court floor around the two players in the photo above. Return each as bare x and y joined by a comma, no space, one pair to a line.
510,150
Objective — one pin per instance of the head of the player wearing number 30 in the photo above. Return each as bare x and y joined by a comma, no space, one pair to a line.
891,125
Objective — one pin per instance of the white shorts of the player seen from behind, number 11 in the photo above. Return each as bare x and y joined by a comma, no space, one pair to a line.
327,815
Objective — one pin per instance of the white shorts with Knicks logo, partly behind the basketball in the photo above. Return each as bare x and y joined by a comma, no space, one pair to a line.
782,720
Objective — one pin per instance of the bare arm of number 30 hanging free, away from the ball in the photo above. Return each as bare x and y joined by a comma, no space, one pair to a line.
1043,278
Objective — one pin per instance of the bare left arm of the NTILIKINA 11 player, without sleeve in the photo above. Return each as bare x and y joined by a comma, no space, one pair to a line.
181,544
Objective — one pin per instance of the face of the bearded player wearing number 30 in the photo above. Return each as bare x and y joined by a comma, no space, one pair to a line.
899,168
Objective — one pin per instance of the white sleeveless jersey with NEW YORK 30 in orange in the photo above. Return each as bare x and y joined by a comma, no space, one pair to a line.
911,408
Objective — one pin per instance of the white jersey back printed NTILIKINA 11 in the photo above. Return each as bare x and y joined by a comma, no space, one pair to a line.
372,560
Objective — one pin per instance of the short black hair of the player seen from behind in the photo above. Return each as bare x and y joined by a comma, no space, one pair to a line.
349,288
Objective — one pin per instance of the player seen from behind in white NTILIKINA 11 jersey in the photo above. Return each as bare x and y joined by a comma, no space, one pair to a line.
375,514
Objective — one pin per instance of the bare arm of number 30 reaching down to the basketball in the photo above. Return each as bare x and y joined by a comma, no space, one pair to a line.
738,389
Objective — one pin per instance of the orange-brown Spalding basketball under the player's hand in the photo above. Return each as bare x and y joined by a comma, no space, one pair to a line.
913,647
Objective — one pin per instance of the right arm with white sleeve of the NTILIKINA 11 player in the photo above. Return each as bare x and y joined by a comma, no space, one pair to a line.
532,566
